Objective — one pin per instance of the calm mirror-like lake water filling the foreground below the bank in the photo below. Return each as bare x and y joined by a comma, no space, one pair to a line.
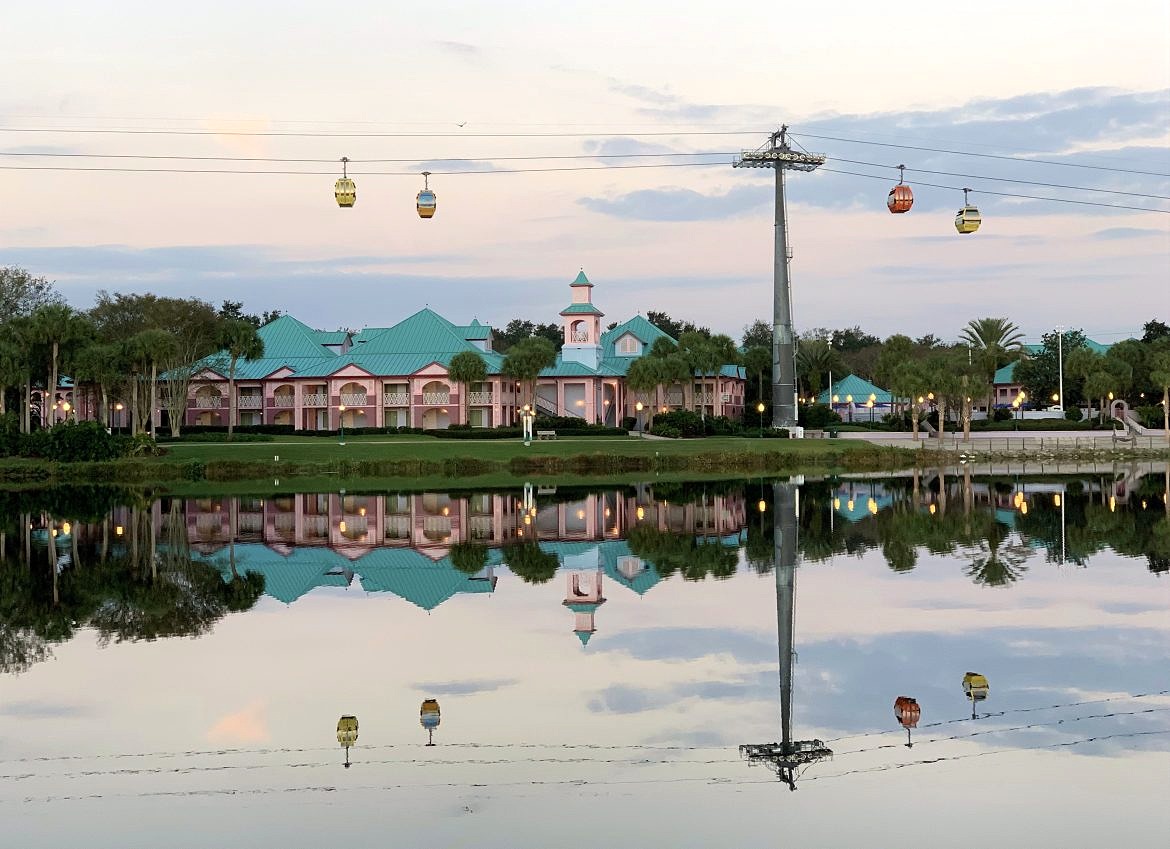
174,672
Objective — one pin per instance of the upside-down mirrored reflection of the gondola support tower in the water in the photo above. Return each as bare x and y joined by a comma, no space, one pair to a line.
787,757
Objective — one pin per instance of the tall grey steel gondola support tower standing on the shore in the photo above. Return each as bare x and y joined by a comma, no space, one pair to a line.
780,156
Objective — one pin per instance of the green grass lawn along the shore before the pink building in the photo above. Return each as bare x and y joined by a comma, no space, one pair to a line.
412,461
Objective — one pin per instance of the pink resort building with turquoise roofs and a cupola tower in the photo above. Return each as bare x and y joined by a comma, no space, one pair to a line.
397,376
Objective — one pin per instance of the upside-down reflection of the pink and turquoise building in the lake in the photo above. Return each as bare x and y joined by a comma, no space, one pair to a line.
410,544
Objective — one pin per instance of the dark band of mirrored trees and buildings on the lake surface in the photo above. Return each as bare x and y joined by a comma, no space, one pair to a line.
135,569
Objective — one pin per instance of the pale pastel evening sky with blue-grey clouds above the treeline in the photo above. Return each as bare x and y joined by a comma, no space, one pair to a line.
459,87
